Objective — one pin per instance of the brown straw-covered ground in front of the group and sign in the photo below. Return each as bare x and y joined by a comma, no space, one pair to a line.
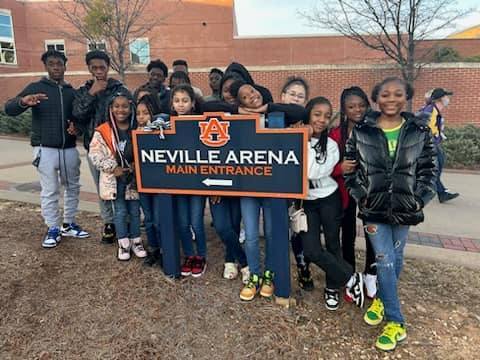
78,302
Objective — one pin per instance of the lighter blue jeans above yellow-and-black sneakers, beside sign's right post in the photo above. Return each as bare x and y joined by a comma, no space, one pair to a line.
251,215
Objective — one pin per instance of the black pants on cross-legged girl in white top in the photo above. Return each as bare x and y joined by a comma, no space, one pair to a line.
326,213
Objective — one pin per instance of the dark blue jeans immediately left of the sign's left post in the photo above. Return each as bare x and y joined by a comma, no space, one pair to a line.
151,206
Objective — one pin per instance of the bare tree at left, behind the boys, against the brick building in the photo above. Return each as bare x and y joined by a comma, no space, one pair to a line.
115,22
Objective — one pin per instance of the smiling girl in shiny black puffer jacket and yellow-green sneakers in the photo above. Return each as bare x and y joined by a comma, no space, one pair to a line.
394,180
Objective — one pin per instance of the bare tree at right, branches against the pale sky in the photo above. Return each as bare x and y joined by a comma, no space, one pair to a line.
394,27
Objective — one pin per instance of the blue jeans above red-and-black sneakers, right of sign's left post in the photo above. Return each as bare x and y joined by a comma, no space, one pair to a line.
190,209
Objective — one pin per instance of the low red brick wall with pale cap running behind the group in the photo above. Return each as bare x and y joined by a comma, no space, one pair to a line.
329,80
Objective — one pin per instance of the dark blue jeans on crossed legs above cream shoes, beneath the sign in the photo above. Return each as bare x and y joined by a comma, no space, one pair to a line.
226,220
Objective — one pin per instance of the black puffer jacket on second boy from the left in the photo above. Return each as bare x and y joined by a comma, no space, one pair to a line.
90,110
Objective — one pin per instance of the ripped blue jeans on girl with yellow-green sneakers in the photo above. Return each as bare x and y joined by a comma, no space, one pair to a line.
388,242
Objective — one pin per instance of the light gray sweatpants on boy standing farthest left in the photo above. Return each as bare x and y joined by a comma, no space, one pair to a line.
58,167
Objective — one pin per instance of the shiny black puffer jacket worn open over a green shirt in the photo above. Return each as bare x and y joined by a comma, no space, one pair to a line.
392,192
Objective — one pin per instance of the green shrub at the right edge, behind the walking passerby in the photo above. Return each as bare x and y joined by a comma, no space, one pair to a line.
462,147
